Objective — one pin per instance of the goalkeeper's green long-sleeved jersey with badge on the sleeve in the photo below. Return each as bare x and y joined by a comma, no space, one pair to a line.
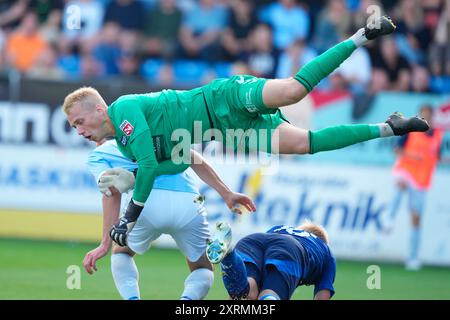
144,124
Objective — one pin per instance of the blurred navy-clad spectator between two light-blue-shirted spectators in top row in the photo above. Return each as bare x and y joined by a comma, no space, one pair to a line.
235,39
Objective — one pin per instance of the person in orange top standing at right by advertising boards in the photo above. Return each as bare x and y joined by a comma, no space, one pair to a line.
418,154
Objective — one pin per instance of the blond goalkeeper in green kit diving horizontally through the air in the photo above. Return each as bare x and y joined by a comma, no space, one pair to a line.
148,127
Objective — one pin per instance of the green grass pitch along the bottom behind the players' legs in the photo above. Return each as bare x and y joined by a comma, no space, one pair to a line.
32,269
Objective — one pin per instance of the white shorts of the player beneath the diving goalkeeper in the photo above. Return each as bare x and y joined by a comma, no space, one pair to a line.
176,214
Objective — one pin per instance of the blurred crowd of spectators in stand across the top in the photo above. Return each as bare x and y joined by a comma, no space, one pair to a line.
176,43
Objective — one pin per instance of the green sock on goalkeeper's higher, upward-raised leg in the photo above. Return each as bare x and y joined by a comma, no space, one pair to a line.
314,71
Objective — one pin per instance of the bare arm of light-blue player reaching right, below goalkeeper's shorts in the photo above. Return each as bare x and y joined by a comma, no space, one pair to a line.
210,177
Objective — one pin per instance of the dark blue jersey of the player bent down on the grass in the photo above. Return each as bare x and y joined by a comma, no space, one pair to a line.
318,265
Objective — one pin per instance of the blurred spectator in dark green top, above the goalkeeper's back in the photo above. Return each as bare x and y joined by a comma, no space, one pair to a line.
162,29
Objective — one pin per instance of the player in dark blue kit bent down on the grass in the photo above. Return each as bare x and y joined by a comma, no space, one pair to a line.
271,265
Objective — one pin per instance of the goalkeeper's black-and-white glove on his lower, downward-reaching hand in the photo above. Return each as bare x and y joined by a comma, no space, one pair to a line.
119,232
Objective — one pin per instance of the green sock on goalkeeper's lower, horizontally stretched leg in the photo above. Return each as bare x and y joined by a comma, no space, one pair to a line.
337,137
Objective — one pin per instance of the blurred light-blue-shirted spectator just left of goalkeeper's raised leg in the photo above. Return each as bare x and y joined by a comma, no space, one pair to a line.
288,21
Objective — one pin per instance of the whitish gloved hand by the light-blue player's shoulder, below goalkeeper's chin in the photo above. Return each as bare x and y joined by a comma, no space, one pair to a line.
119,178
